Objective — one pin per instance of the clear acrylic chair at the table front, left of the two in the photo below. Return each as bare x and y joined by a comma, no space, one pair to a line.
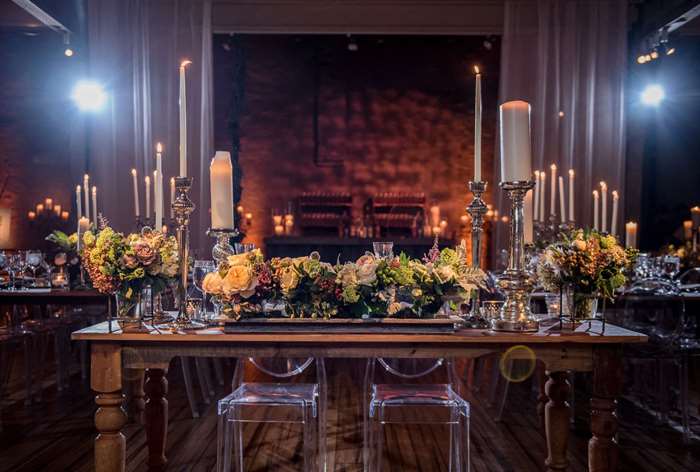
275,402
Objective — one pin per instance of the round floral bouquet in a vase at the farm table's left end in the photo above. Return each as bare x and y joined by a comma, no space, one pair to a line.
125,265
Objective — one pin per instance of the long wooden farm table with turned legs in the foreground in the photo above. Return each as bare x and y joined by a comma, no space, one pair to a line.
114,353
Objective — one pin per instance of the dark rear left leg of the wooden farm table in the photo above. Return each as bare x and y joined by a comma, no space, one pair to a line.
156,416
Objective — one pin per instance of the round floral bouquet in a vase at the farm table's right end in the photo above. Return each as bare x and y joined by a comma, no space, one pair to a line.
587,264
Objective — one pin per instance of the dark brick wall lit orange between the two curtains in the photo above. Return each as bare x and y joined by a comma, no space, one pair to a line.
395,115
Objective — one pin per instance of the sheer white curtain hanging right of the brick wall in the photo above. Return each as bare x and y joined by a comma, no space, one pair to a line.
570,56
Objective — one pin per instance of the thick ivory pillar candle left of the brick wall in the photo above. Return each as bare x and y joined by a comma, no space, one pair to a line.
221,184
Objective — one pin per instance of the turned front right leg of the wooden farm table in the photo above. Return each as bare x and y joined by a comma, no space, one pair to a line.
607,386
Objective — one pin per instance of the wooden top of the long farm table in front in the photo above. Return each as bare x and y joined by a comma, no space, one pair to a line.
215,335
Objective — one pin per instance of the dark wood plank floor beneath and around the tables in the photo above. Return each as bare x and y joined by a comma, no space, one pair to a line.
57,435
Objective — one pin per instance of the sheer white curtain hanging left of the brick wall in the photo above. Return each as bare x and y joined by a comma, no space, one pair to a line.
136,47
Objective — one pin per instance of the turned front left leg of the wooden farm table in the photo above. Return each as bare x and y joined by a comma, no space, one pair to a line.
106,380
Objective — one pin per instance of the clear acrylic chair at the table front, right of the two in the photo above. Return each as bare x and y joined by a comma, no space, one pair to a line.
414,403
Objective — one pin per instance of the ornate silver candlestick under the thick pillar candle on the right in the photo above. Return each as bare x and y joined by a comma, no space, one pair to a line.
517,282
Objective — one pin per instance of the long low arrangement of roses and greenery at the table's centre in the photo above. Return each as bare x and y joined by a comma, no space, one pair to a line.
310,288
